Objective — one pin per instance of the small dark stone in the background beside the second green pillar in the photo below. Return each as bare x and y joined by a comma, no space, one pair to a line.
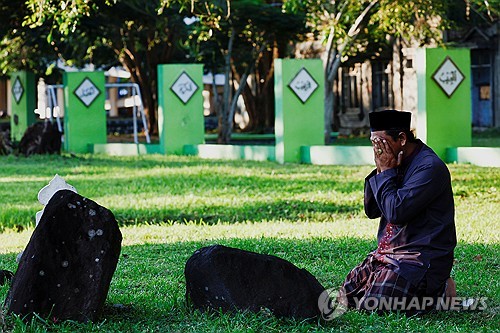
41,138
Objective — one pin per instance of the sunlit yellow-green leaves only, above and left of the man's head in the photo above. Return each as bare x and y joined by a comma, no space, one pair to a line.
412,20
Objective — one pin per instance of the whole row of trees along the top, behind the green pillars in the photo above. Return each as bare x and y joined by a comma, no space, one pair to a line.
238,38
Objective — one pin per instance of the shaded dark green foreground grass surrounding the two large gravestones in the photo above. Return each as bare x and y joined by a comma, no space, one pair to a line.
147,291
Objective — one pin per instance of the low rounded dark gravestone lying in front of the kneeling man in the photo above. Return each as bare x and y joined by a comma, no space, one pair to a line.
219,277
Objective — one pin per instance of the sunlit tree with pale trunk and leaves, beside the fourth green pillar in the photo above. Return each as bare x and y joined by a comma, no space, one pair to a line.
348,28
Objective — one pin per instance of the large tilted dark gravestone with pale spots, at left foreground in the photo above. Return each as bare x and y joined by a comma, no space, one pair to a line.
66,269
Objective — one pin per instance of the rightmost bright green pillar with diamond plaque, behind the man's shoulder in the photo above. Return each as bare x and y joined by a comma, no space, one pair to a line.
444,98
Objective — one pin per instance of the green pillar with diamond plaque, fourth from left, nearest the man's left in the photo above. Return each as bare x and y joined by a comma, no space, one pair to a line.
298,87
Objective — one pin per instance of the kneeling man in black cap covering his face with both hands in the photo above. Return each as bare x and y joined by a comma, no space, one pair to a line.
410,190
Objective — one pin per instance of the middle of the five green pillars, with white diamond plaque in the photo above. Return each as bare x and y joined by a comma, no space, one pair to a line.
180,107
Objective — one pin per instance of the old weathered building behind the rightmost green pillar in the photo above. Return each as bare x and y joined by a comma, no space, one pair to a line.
390,80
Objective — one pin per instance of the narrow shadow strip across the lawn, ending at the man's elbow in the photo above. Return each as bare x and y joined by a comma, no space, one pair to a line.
292,210
